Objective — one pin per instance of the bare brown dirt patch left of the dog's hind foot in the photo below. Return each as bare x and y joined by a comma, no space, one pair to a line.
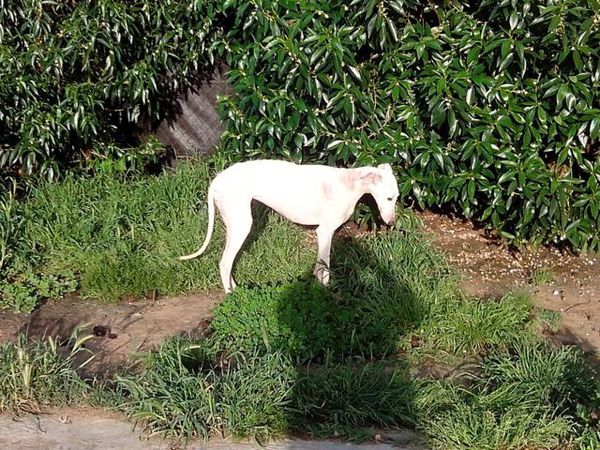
120,330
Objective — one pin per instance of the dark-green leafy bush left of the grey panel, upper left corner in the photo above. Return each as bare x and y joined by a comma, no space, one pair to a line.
78,77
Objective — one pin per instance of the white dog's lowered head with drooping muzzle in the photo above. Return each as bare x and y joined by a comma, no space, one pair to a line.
381,183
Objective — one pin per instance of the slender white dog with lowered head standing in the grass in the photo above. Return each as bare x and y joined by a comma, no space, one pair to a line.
305,194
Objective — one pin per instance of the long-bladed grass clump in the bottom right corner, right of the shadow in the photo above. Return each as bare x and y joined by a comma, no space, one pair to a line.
525,396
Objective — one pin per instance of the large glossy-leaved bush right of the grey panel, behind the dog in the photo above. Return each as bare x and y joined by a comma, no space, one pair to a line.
488,108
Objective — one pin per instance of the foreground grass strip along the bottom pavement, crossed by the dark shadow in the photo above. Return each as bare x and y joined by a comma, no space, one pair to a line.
528,395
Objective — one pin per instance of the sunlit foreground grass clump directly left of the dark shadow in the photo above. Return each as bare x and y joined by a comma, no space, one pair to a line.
184,394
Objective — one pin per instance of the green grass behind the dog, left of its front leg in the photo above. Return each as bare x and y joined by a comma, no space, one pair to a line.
120,238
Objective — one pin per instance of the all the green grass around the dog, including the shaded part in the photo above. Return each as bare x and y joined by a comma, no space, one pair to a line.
284,354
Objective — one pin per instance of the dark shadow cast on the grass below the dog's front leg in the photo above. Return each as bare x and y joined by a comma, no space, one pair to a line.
346,342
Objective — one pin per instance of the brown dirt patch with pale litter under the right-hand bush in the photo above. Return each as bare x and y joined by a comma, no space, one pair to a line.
489,269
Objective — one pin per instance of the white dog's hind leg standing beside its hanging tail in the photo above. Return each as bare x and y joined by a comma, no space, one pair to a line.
237,216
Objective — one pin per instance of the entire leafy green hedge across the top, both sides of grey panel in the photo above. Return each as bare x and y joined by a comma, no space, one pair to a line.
487,108
